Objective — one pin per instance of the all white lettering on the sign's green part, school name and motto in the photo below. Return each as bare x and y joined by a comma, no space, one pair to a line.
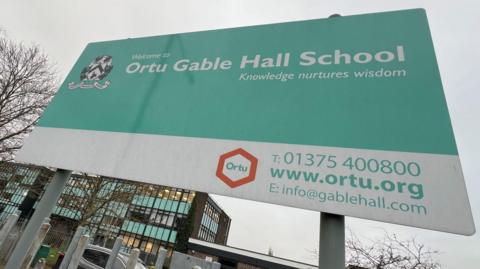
281,60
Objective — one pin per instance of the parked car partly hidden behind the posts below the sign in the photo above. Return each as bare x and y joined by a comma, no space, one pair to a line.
96,257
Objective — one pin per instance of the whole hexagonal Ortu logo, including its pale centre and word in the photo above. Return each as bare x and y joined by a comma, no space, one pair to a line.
237,167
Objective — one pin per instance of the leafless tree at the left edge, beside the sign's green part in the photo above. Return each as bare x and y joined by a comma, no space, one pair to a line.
27,84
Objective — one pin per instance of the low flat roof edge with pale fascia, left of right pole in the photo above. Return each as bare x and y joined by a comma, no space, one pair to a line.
245,256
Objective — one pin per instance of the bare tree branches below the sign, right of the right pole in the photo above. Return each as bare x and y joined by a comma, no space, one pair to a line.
390,252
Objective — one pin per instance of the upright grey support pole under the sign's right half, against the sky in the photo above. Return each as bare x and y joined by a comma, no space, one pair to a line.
332,241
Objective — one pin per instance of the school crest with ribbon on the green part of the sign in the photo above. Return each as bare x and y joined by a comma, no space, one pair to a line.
93,75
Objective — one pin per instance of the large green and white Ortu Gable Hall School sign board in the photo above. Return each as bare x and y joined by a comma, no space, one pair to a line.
344,115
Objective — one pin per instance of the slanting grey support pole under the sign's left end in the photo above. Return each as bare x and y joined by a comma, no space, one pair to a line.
43,210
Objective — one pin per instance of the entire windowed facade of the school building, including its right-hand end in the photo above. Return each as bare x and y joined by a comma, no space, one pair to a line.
146,216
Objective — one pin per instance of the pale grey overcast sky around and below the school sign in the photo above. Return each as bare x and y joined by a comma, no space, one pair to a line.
63,28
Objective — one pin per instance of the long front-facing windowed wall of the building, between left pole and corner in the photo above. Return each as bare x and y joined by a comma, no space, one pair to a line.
145,215
